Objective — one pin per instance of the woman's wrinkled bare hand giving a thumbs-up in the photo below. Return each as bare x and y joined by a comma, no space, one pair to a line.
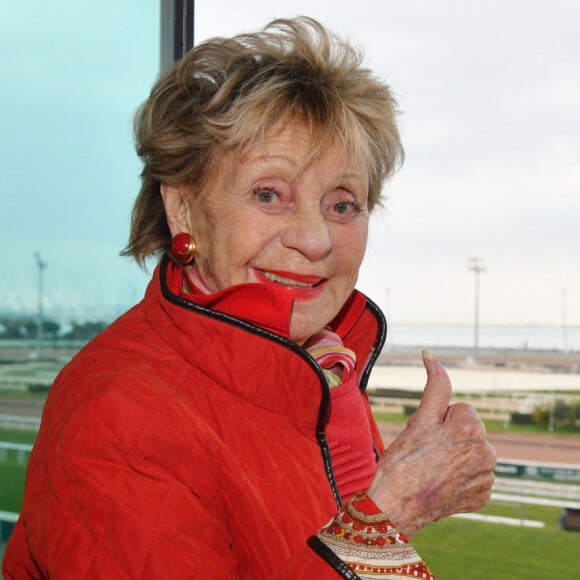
441,463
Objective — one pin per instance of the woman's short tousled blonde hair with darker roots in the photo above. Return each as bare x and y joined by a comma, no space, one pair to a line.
227,92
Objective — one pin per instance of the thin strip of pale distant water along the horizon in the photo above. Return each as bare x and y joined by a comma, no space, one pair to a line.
490,336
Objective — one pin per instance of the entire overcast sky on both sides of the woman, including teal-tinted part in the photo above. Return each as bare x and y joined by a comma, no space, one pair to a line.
490,99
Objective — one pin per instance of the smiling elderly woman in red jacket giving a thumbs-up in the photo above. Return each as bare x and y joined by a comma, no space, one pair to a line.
220,428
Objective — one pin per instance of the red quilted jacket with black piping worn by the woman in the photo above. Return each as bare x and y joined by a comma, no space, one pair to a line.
185,443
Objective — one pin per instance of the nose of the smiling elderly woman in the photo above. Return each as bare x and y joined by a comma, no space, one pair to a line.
308,233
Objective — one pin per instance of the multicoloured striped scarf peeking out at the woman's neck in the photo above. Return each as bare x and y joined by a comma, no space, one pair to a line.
326,348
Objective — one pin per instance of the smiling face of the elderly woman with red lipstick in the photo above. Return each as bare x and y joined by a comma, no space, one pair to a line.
276,215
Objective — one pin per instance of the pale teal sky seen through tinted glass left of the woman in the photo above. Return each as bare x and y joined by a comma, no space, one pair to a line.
73,75
